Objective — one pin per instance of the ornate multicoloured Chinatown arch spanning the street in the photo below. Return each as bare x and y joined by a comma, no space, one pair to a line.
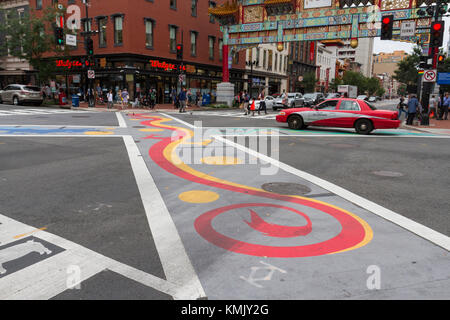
247,23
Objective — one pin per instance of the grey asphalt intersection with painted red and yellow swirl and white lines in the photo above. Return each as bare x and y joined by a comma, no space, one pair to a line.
105,205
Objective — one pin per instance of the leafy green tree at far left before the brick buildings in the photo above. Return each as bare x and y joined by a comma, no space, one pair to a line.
30,38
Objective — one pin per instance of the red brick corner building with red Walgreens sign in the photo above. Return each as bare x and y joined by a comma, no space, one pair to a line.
135,47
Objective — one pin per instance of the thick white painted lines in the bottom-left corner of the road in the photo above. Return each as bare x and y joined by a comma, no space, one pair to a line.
48,278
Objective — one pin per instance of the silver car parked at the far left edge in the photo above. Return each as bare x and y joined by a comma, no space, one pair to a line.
17,94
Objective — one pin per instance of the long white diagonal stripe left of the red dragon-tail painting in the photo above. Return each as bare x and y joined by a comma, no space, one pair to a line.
174,259
